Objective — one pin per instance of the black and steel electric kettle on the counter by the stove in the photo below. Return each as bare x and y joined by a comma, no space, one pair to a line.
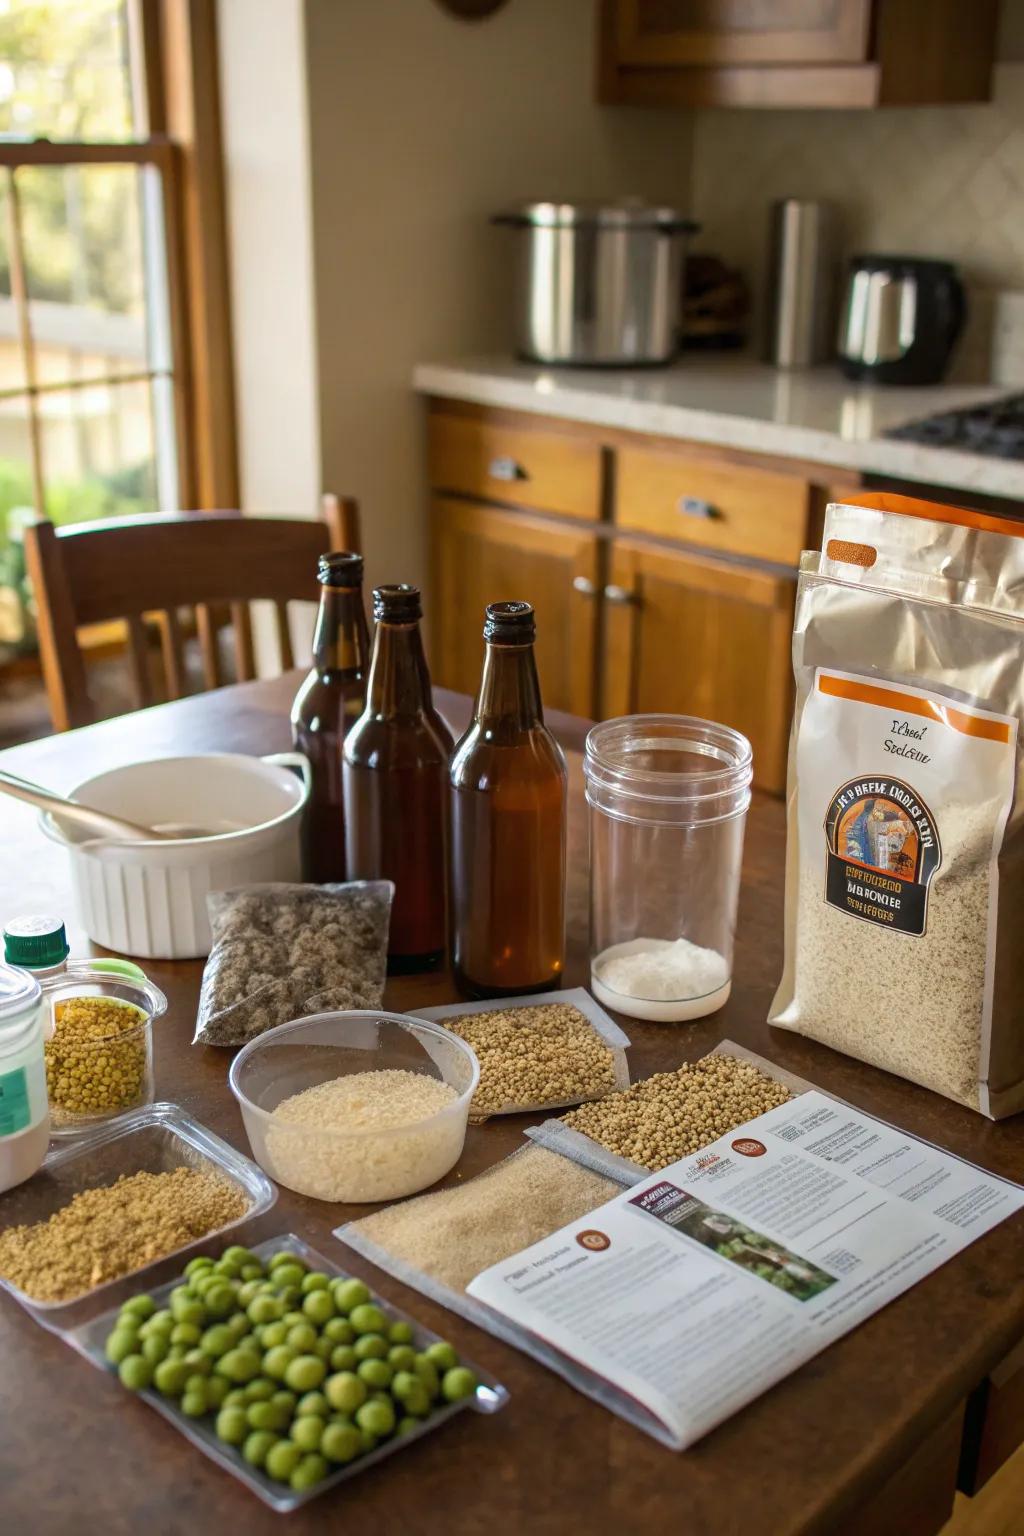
902,317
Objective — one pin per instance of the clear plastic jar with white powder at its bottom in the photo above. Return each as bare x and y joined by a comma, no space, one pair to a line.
669,798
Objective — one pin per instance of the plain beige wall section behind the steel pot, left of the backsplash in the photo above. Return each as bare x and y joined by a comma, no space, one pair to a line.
421,127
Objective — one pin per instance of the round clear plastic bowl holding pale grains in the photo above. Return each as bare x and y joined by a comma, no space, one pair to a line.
358,1165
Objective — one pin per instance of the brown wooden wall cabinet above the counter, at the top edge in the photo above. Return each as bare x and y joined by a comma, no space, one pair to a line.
796,53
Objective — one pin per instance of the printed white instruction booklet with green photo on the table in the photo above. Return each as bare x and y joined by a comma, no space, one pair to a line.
702,1286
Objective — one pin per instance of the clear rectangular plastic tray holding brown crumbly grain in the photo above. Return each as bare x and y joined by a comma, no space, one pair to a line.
153,1140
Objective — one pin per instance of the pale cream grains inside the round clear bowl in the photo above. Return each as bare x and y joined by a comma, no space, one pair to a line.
371,1136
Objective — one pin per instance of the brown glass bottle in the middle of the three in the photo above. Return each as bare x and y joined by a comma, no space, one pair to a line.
395,786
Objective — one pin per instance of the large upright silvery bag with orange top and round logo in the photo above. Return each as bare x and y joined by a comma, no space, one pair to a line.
905,862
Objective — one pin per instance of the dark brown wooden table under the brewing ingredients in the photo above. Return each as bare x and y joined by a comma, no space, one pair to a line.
865,1438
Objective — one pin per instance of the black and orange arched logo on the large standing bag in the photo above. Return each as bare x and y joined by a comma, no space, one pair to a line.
882,853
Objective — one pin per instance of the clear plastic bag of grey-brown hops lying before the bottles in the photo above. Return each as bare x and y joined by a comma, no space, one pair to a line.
282,952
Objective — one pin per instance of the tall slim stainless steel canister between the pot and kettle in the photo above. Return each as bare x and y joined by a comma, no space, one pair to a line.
802,283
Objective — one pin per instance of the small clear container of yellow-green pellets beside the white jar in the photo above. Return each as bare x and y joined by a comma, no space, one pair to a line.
93,1081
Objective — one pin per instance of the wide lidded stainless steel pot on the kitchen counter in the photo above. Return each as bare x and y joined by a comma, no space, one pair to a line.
600,285
